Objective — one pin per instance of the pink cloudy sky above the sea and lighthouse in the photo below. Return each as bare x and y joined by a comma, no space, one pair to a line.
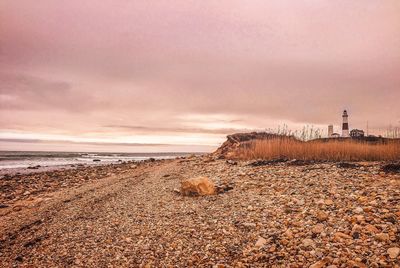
144,75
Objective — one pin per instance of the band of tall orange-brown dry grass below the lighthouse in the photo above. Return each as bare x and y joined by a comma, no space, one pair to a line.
332,150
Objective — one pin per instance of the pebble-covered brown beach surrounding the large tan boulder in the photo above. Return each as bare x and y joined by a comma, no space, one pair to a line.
279,214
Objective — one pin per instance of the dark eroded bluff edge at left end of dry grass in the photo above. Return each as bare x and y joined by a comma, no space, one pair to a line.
235,142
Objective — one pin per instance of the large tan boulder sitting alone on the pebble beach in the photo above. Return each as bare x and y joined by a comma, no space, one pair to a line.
198,186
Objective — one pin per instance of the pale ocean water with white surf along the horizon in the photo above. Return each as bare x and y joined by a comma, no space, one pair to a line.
20,160
